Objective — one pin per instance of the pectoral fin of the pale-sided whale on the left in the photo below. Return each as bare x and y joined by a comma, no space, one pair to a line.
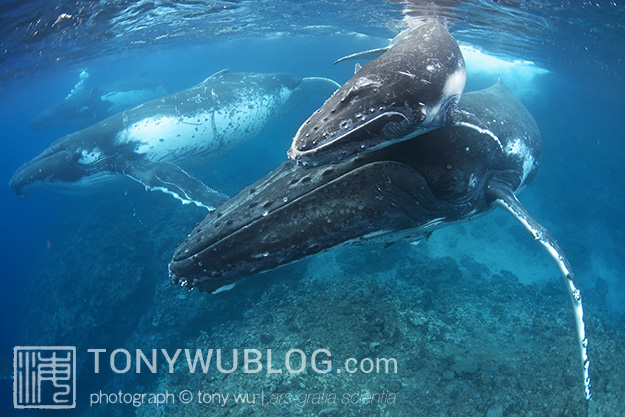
172,180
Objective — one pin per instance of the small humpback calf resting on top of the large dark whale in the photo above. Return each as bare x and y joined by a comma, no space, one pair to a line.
412,88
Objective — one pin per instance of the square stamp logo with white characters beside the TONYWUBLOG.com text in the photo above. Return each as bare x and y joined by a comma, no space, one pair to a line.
44,377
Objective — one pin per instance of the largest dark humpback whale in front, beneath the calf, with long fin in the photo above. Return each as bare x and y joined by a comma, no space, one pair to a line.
402,191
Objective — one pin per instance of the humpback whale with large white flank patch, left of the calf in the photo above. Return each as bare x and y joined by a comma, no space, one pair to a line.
154,143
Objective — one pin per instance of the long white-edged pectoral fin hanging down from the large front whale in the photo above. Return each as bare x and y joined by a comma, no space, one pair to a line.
506,199
